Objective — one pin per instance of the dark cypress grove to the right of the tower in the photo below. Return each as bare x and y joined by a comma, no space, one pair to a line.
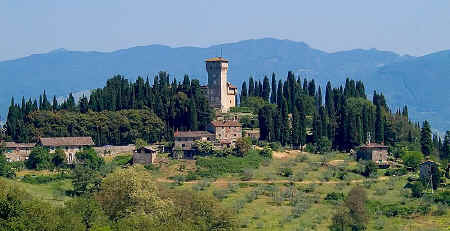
297,112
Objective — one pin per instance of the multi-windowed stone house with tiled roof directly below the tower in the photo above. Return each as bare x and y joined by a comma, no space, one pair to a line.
226,131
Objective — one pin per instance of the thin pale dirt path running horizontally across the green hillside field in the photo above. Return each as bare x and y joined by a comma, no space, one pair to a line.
225,182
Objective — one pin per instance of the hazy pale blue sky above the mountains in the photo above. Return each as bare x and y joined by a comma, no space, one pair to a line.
414,27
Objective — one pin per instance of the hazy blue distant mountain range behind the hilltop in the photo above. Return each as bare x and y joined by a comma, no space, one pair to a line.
423,83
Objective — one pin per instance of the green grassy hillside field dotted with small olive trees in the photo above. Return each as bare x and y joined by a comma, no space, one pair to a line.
265,199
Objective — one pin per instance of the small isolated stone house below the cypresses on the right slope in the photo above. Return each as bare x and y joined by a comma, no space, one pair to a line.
377,153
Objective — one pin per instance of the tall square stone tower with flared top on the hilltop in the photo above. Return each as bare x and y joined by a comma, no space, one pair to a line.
222,95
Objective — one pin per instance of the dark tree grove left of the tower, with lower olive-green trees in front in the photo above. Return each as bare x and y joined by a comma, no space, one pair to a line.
118,113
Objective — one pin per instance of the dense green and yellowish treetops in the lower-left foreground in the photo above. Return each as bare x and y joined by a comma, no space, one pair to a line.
125,200
